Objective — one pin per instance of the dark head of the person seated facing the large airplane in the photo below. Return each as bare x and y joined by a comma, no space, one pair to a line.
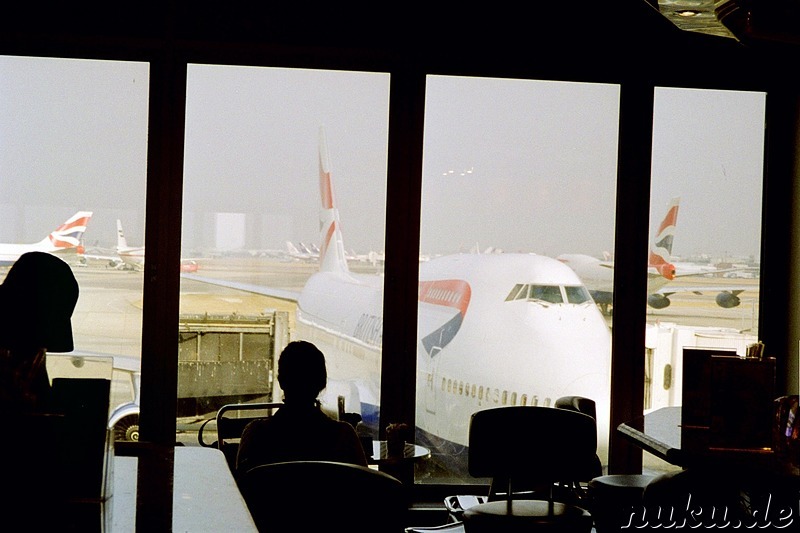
301,371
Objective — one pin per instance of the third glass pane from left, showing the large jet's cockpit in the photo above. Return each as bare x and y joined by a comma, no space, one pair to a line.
516,173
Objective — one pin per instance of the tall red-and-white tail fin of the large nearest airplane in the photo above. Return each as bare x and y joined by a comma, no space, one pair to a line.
331,255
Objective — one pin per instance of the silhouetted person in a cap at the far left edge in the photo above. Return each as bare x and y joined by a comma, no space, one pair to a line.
37,299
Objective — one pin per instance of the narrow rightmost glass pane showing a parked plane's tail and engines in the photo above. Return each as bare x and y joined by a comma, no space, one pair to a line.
705,212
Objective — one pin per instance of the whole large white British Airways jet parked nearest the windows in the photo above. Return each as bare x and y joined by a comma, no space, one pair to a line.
505,329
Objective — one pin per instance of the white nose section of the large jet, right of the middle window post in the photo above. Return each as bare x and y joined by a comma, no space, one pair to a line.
511,348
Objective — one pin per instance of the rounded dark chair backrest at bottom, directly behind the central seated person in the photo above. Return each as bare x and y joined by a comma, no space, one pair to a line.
324,496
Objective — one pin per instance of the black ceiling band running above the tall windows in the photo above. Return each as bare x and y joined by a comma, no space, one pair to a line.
578,39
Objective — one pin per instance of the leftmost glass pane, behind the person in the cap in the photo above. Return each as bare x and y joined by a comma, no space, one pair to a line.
74,162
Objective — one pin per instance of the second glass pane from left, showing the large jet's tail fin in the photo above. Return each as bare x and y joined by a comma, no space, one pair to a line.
278,255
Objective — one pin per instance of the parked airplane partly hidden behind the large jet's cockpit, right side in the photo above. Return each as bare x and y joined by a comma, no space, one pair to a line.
598,275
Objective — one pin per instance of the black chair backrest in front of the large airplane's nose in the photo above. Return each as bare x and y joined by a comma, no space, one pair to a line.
541,444
